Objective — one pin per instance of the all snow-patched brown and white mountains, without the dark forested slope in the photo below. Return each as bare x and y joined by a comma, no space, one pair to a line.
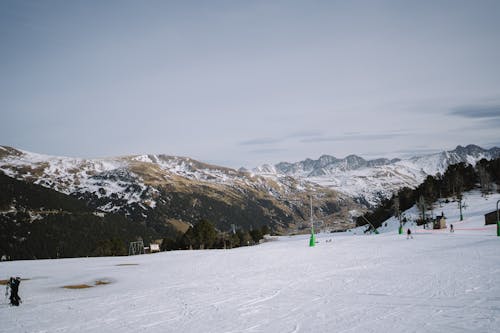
164,191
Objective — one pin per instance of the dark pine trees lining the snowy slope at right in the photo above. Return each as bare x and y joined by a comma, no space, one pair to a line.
457,179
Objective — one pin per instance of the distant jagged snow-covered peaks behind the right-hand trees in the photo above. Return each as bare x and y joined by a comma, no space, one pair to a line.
368,181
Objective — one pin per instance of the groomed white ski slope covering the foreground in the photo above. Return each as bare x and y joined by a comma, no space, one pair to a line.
437,282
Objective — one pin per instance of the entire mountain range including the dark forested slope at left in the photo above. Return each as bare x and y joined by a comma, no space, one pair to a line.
162,196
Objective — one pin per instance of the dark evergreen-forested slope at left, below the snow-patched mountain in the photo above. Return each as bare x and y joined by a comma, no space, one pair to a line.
40,223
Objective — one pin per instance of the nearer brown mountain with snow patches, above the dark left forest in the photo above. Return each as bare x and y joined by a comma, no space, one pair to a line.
162,190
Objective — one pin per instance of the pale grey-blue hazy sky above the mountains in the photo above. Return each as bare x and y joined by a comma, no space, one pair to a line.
242,83
